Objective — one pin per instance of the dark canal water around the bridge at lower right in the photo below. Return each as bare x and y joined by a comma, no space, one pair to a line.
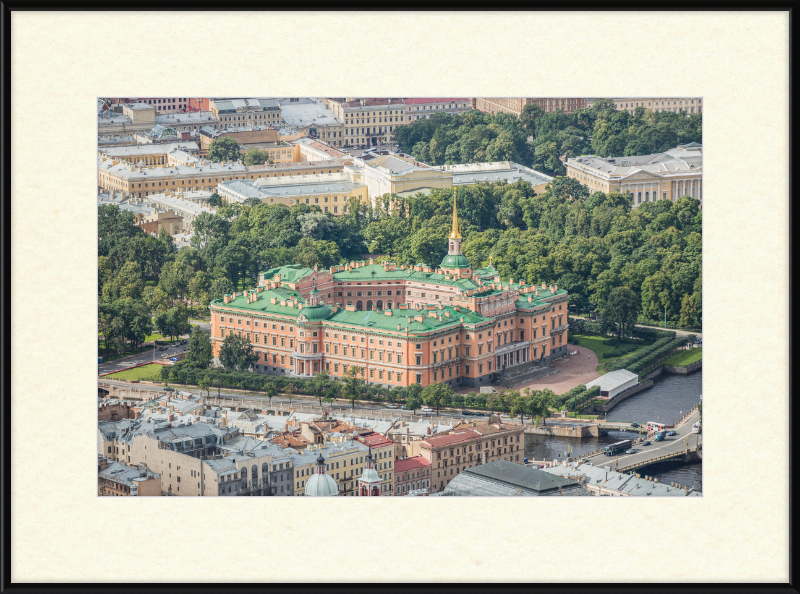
670,396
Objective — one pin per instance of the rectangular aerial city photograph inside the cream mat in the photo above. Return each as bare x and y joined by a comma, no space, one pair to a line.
343,296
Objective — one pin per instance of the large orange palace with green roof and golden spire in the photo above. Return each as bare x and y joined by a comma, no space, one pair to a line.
397,324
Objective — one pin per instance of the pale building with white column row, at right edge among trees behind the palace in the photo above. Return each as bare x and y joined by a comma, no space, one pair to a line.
663,176
